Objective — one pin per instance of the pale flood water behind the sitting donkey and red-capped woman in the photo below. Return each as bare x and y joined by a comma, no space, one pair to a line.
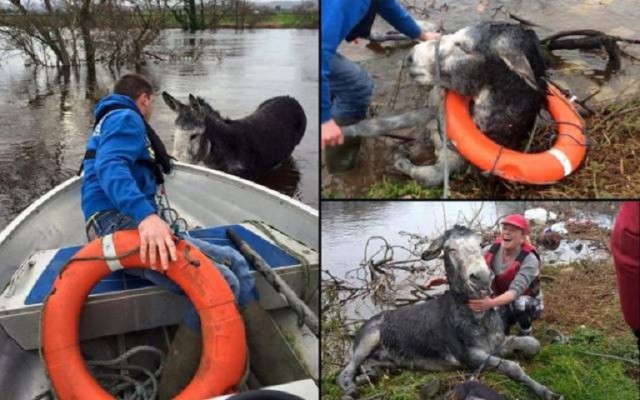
347,225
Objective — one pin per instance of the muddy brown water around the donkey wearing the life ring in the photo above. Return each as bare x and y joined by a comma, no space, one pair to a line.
584,73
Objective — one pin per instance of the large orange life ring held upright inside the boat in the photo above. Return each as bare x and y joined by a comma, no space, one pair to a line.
222,363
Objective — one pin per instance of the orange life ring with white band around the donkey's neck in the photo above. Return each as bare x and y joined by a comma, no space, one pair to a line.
538,168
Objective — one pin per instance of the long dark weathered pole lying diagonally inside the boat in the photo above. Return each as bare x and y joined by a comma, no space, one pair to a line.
299,307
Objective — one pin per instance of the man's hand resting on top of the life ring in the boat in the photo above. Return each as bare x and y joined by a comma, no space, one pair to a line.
155,235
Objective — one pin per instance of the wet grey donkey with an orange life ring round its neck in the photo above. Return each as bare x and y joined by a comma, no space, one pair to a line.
501,67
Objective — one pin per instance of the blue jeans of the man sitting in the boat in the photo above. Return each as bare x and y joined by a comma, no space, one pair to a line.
238,275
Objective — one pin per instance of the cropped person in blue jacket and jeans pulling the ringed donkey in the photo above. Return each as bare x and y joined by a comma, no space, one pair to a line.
346,88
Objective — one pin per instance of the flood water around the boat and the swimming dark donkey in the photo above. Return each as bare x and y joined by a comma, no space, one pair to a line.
45,118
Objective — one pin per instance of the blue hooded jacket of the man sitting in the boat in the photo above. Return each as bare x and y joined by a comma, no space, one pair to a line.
113,180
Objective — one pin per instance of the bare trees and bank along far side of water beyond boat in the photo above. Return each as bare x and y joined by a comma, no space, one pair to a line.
116,32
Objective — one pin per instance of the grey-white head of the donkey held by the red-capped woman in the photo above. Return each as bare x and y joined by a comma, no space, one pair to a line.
466,269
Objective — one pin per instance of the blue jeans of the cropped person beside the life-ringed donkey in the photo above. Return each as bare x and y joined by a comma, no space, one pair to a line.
351,89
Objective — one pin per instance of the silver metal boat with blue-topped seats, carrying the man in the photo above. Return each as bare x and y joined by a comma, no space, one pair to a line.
122,310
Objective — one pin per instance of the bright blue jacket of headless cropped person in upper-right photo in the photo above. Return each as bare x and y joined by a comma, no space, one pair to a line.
339,17
